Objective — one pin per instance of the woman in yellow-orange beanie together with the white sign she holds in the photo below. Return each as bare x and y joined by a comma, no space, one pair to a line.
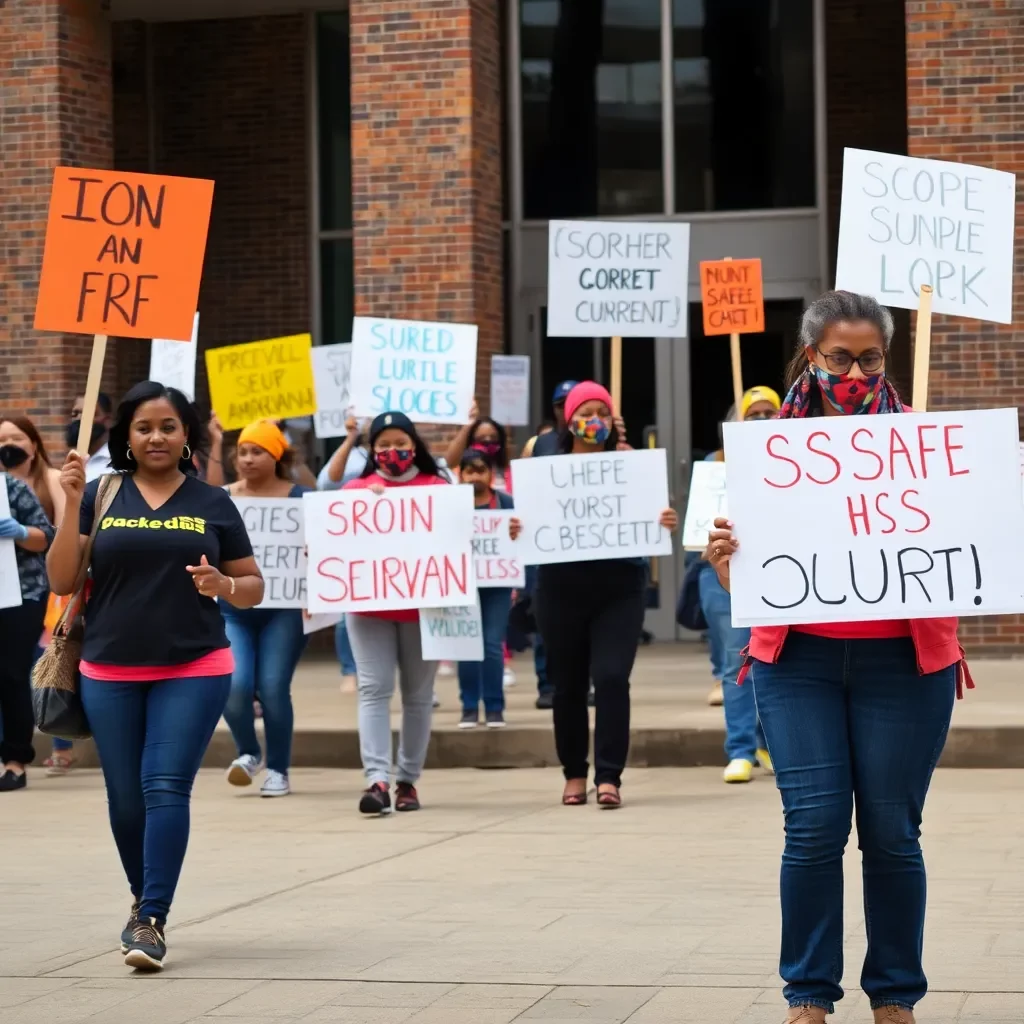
268,643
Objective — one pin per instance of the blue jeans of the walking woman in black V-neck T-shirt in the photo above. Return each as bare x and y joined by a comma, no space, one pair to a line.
151,739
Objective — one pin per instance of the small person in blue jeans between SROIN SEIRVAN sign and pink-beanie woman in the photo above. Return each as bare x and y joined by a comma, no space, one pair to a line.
482,681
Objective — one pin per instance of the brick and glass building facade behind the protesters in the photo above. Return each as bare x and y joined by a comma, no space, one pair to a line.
404,158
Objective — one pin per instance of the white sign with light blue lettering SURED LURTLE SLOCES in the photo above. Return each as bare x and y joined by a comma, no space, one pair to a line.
426,371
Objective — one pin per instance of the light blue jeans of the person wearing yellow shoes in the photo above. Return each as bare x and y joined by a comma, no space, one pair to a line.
743,734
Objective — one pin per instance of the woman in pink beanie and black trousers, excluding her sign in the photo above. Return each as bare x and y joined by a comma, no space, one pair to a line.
590,616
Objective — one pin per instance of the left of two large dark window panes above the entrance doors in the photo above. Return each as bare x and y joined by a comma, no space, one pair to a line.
591,108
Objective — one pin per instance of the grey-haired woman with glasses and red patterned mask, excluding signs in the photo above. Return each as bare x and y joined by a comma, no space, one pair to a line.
857,714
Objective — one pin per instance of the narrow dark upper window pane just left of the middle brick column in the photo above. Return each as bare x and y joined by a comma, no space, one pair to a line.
334,100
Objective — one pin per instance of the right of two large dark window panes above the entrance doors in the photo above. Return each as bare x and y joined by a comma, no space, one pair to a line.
744,84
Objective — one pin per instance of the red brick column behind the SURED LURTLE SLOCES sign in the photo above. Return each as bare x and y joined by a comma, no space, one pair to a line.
426,165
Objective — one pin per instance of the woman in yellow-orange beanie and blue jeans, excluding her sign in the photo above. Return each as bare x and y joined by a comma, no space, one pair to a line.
267,643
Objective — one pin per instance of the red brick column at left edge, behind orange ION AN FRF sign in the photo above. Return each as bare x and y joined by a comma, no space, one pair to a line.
55,108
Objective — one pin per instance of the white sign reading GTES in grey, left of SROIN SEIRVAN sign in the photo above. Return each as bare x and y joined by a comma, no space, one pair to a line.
276,531
